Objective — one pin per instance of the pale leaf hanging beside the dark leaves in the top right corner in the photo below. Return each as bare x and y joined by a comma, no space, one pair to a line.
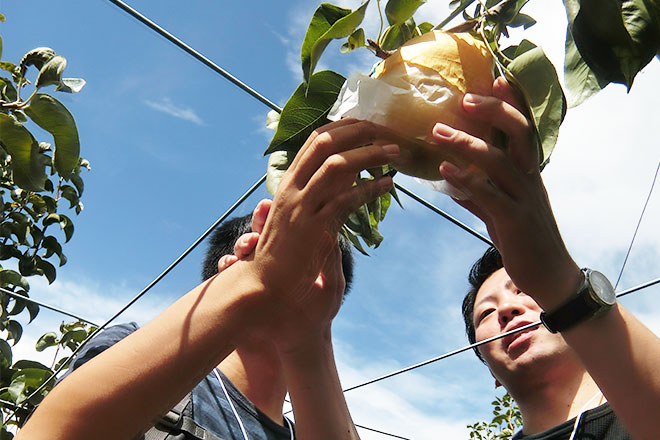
581,82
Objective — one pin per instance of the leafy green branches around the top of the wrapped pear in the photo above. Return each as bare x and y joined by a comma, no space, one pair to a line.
607,41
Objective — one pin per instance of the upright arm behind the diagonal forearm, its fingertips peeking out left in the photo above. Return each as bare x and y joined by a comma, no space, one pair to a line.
306,353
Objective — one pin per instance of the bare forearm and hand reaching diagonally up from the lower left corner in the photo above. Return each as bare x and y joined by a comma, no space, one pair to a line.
119,393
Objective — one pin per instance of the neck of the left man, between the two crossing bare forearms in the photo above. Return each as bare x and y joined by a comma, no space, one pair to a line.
258,375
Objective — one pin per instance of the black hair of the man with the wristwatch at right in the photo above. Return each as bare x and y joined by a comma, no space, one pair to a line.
484,267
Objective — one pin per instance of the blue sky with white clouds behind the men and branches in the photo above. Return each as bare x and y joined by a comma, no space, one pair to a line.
172,145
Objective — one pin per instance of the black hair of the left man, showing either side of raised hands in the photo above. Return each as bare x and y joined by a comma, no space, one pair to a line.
223,238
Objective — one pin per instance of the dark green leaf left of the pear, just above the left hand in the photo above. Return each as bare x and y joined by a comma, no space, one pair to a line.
305,112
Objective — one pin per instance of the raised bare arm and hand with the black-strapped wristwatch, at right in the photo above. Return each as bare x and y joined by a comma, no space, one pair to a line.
508,194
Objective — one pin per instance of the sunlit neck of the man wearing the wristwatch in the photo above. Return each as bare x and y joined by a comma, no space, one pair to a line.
556,401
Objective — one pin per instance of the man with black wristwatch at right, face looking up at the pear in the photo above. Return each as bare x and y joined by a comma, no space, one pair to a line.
552,376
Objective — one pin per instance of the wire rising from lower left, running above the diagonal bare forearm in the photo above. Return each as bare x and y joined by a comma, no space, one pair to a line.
228,212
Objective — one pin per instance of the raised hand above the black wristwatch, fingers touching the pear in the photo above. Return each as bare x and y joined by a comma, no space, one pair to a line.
505,190
